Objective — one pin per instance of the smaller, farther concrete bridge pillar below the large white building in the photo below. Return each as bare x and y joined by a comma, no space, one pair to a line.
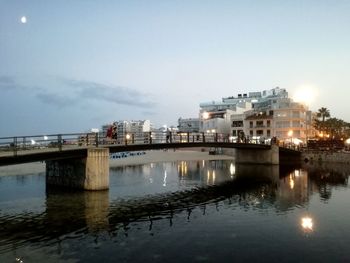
254,156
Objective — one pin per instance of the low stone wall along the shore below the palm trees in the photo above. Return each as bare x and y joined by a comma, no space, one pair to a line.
324,156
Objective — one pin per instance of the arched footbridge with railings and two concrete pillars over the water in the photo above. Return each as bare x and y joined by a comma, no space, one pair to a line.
82,160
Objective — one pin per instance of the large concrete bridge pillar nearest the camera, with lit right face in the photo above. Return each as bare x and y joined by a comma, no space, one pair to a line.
90,173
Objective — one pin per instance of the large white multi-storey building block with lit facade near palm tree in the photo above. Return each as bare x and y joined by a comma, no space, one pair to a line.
266,114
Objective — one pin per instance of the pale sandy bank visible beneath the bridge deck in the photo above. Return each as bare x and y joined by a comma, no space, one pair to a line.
149,157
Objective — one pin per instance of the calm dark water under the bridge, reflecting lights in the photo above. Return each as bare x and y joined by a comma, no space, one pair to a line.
181,212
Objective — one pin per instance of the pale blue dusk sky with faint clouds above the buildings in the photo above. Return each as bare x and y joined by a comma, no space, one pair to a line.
75,65
